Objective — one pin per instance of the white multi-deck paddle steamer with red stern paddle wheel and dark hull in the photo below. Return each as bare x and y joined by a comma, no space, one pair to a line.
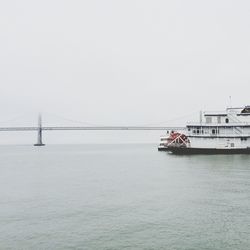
226,132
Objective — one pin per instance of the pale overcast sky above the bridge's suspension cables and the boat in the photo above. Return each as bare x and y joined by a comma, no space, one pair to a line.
123,62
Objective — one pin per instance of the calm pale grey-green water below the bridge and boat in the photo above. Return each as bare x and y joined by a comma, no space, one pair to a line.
126,196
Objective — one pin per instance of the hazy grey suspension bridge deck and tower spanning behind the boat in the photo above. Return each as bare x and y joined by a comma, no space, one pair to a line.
40,128
